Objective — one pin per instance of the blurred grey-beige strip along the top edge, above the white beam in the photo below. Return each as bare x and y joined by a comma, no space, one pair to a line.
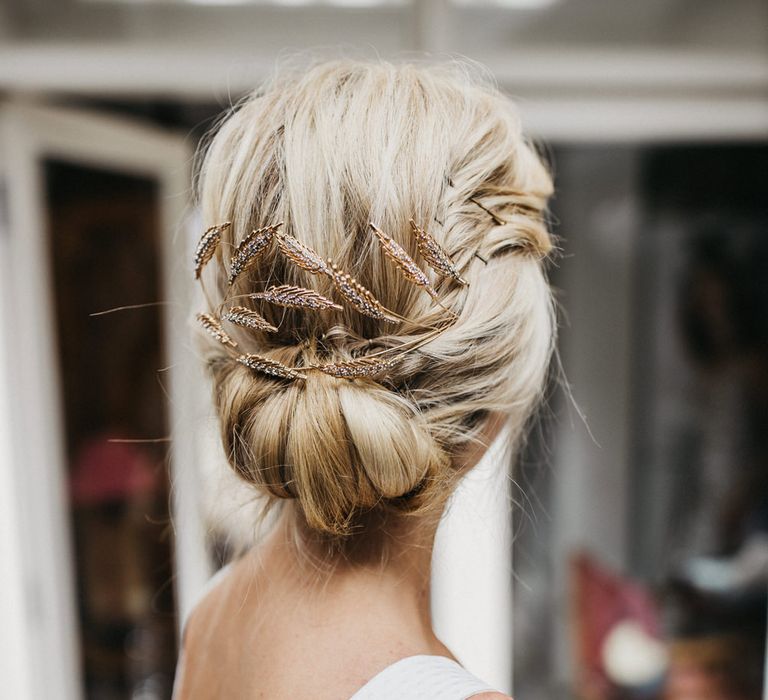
396,24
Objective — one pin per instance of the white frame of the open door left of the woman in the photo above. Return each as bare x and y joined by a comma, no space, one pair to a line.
39,635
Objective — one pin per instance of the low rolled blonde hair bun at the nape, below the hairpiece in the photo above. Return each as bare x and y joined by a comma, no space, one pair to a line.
341,449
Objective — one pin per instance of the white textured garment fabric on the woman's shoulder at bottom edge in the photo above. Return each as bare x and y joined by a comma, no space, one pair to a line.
422,678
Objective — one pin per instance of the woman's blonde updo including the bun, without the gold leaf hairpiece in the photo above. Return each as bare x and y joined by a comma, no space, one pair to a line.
326,151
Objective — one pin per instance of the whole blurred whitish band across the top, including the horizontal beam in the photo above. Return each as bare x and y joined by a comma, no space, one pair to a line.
603,62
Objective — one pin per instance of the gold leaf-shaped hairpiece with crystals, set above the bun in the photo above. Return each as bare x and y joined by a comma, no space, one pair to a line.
260,240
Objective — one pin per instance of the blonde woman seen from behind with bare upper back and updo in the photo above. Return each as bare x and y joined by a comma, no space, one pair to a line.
376,310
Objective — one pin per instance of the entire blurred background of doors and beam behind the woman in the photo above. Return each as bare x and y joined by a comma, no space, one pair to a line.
634,561
